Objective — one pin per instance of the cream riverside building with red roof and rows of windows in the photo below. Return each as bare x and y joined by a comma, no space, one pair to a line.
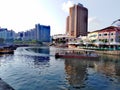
108,35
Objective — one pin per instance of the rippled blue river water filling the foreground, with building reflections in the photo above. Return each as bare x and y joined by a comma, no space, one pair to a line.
37,69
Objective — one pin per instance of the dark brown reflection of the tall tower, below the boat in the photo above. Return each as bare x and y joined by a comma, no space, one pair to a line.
76,71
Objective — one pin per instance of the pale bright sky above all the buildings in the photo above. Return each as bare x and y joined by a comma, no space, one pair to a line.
22,15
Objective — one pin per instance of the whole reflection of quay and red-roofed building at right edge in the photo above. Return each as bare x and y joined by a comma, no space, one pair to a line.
109,65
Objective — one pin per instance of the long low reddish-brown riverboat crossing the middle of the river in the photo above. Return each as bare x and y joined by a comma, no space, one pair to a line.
90,54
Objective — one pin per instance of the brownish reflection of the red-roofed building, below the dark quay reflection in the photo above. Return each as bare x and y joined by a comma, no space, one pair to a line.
110,68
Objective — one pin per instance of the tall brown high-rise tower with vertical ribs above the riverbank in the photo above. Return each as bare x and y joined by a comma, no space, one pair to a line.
77,21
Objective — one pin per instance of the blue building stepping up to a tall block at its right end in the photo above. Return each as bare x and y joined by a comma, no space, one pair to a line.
39,33
